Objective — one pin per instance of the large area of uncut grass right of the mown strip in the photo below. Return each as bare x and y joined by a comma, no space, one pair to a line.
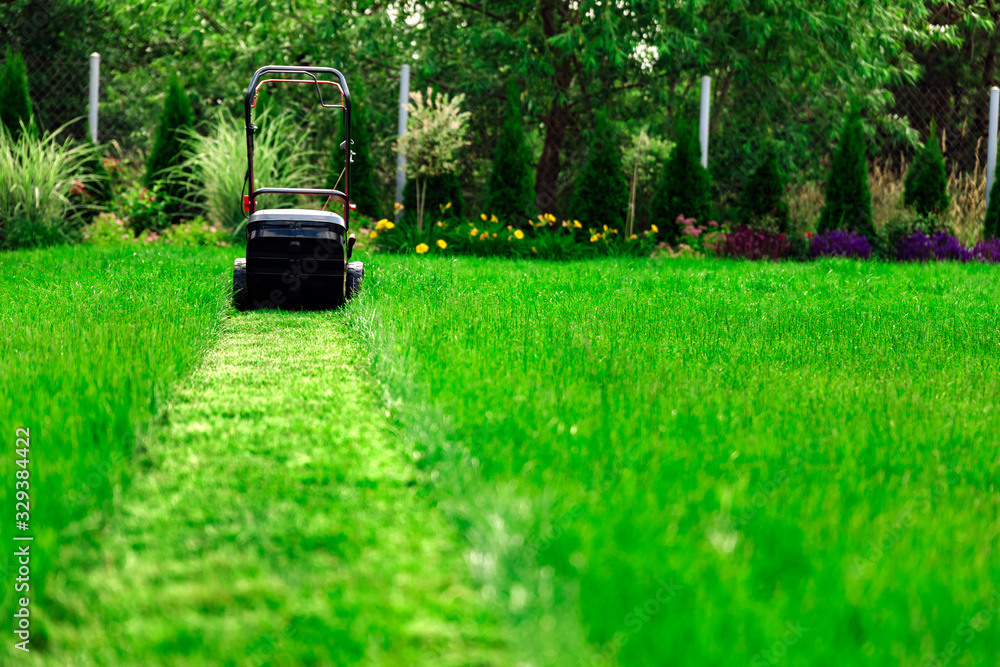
710,463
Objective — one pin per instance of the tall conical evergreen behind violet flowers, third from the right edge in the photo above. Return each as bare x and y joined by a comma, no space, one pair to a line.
848,202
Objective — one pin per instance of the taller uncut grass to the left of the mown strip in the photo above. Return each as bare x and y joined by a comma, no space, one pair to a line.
89,341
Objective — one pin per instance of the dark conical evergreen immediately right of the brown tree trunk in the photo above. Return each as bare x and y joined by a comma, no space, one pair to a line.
601,193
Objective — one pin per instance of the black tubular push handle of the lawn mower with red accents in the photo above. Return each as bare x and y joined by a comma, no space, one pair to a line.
250,102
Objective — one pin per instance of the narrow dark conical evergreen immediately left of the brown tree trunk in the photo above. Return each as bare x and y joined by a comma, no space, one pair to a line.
510,195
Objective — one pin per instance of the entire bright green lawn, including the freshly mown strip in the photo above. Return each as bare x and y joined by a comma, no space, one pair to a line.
494,462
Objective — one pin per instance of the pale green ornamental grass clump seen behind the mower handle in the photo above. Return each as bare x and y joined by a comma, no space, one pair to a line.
216,163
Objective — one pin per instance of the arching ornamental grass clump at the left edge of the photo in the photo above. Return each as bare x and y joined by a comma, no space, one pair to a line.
37,180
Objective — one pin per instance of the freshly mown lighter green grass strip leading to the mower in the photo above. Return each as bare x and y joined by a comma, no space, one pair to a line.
277,522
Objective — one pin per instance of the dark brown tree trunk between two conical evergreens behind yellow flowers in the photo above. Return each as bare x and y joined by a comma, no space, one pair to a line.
557,118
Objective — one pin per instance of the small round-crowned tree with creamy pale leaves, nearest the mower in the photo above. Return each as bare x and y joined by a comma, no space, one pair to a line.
434,134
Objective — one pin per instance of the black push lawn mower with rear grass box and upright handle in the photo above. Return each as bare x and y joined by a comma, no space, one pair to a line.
297,258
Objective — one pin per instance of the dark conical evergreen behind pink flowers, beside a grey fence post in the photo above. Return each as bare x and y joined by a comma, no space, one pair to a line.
685,186
